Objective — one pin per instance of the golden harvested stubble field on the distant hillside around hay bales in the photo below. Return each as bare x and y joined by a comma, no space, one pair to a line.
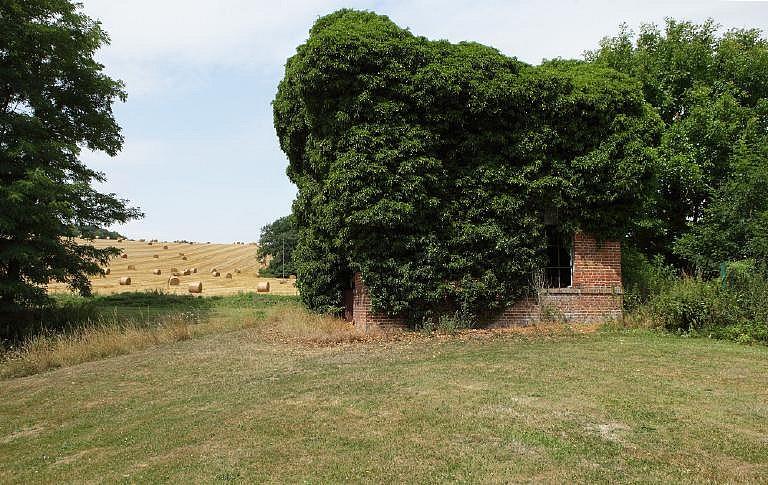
226,258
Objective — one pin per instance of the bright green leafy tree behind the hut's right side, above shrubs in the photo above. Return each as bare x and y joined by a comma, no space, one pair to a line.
710,90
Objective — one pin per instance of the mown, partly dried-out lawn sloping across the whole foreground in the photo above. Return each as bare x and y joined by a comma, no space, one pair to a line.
625,407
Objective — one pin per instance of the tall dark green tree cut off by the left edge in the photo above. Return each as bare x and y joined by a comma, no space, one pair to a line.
55,100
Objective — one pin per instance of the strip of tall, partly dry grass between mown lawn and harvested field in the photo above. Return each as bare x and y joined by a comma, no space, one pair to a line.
117,332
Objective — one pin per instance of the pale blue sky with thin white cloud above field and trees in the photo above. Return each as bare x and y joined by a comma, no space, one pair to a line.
201,157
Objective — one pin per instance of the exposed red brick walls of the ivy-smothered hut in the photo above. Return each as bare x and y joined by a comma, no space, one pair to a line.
596,294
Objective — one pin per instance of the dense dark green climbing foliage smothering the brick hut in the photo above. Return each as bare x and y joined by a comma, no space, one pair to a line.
432,167
